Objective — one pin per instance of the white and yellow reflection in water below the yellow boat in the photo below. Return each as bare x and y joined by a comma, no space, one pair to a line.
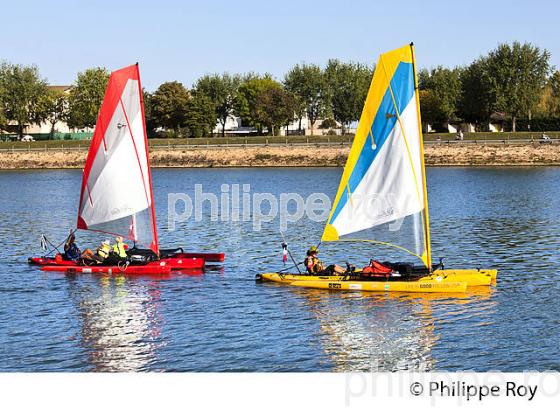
381,332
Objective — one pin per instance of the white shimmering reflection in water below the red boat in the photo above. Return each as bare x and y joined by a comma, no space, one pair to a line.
121,325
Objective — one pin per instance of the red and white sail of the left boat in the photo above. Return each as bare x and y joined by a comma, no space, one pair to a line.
116,194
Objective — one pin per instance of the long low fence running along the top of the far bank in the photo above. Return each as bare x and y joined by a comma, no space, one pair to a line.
265,142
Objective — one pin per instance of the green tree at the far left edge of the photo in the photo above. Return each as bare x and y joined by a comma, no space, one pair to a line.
22,91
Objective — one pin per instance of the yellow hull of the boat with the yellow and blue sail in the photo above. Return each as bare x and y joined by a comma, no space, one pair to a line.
448,280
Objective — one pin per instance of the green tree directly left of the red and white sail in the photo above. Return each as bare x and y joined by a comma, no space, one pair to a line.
86,97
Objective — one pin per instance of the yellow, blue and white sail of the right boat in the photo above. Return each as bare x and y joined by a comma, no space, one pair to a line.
384,178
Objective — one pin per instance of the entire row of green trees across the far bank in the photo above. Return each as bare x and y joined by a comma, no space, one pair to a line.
513,81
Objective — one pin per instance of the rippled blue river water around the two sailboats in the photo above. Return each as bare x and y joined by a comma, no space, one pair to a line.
222,321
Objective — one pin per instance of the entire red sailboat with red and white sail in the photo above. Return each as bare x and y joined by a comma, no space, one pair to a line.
116,195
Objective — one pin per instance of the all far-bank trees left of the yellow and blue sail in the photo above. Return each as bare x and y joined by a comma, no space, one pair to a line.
336,91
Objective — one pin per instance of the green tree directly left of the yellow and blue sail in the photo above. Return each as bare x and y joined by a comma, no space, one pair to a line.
347,85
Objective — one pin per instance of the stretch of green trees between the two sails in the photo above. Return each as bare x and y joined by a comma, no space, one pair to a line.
337,91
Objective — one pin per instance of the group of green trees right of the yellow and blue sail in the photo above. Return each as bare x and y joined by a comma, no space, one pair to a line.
514,81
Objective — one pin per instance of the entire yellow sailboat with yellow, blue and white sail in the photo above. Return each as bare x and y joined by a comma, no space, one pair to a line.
384,185
